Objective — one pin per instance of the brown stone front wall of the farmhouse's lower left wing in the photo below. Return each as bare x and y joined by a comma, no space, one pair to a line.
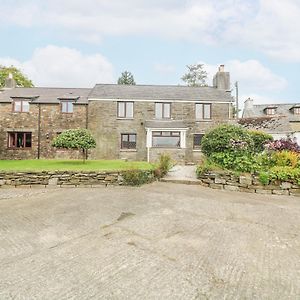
52,121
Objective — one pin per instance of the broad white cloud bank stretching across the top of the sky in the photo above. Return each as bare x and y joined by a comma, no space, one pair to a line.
270,26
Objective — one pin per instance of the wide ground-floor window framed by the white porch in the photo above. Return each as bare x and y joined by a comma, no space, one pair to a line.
166,139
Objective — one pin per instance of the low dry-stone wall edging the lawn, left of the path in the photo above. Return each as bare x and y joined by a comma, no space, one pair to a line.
66,178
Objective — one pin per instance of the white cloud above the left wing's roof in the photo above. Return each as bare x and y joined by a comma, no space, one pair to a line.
64,67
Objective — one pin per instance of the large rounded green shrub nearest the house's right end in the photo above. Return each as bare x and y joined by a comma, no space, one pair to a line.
227,138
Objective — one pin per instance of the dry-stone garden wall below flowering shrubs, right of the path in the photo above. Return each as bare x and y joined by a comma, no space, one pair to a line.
246,183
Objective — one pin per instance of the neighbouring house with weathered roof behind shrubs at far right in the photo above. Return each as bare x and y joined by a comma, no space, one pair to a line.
279,120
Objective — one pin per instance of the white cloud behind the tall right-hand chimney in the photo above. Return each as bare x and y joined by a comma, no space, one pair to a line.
251,75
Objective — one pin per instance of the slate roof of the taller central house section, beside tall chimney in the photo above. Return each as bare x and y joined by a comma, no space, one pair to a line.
159,92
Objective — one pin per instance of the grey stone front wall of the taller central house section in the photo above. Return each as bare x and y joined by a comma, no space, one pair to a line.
107,129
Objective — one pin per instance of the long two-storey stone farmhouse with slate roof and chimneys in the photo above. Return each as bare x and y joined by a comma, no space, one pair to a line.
135,122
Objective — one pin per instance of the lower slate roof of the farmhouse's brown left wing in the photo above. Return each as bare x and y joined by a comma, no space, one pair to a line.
46,95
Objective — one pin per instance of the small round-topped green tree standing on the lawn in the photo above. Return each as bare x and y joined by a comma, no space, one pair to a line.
80,139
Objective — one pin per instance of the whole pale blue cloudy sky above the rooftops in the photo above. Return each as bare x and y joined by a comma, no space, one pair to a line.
75,43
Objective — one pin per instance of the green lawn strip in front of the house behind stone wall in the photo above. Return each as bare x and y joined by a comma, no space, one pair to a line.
76,165
